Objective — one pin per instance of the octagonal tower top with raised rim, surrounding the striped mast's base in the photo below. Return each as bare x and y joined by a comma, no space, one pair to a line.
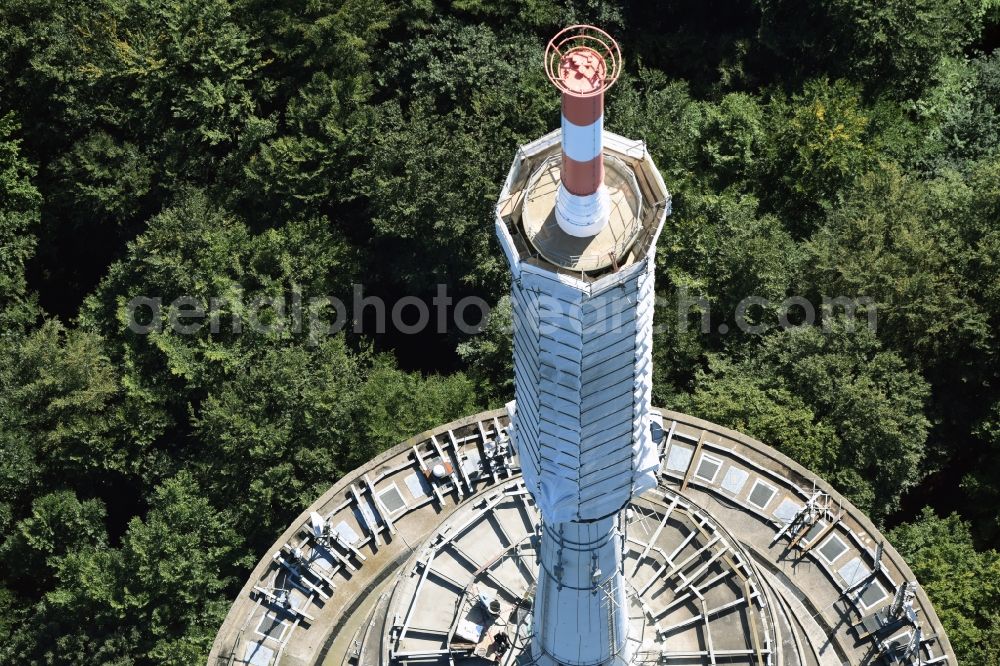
526,223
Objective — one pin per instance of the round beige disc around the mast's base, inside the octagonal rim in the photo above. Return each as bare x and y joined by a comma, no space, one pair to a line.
609,246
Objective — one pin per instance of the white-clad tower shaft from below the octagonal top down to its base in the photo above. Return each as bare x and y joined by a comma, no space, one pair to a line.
581,425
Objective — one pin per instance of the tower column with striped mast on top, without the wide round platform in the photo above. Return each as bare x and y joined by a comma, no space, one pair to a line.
580,240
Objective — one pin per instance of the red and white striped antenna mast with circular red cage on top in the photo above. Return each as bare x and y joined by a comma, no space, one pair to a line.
582,62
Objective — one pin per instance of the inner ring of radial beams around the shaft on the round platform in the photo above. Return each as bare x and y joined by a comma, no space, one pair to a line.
475,580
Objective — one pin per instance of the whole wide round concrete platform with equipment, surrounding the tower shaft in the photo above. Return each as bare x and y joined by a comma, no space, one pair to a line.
738,556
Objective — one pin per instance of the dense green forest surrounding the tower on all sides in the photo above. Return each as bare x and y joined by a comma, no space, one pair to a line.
248,149
